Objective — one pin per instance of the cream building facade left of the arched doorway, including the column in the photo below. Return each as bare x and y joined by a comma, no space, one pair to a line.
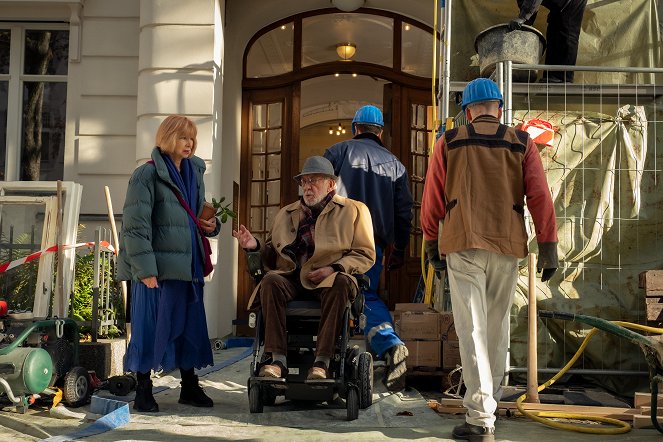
138,61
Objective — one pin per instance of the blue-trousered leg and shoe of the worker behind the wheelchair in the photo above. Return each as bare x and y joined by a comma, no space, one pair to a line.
380,332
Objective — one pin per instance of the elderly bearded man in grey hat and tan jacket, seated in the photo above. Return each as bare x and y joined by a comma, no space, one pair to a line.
314,249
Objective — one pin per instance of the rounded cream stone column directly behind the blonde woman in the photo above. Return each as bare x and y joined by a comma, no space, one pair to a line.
180,50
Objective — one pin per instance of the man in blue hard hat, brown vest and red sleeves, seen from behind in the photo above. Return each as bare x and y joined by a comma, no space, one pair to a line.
478,180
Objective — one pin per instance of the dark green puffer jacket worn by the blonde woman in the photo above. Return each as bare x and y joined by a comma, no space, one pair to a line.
155,237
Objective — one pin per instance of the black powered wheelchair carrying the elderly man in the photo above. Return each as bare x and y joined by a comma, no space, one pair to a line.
350,371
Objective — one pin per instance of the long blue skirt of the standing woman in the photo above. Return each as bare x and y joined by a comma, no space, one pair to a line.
169,329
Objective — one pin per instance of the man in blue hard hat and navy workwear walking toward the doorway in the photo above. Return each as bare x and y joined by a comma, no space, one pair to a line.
368,172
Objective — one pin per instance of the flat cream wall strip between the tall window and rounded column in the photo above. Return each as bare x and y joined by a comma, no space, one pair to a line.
102,103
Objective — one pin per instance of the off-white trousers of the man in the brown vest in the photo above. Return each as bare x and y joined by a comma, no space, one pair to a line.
482,286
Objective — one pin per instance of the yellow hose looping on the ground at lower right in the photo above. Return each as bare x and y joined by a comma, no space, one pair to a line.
540,416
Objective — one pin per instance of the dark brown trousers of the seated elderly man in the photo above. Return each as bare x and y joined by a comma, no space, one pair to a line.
275,292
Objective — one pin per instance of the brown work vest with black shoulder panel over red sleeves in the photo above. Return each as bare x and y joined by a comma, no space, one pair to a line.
484,192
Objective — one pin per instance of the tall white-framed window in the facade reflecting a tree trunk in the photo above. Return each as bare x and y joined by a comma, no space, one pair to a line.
33,101
